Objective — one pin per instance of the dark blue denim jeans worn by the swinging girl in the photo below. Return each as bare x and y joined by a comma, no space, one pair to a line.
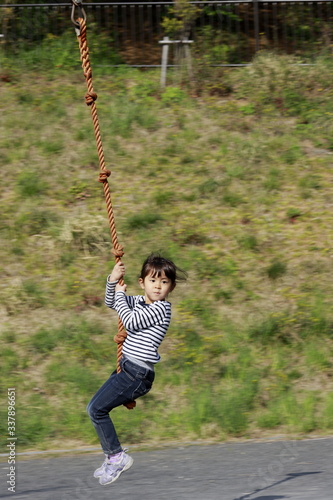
131,383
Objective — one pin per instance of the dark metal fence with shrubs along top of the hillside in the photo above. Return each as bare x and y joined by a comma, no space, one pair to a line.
224,32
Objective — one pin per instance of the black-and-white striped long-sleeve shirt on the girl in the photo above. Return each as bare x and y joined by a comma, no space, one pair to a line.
146,324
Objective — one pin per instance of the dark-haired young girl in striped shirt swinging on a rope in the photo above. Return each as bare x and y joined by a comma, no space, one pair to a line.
146,320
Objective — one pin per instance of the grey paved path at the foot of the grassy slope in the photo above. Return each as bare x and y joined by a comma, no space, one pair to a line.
274,470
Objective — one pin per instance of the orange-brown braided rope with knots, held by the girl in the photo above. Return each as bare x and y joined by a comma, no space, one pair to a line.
91,97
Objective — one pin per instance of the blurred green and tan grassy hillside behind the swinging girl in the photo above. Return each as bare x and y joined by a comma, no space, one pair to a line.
232,178
